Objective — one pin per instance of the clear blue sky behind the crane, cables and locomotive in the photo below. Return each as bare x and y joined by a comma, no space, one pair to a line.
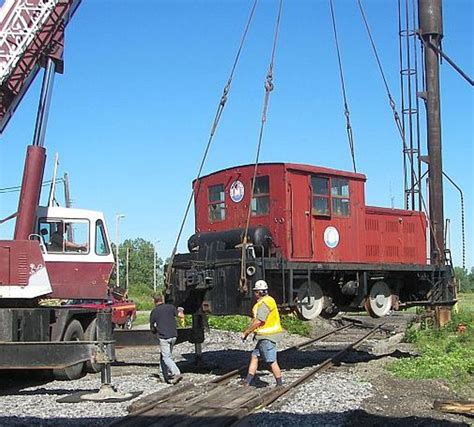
131,115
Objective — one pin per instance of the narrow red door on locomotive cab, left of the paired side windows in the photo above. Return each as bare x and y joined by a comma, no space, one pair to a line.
301,235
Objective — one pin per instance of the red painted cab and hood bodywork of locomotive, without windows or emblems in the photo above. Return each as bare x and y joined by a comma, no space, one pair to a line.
368,235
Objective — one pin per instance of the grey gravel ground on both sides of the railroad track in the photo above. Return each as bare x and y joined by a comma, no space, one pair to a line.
355,394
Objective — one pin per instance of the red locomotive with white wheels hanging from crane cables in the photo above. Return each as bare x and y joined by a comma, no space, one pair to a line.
313,239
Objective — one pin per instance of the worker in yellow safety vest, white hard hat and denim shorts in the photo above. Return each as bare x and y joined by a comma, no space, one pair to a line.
268,331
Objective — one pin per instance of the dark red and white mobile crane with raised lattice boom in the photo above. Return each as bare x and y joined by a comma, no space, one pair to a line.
41,261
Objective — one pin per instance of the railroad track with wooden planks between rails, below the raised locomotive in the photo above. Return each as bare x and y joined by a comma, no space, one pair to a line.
223,402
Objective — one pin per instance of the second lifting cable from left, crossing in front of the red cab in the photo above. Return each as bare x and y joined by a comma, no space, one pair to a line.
268,89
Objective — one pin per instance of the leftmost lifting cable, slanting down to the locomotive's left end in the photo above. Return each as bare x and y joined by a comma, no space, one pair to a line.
219,111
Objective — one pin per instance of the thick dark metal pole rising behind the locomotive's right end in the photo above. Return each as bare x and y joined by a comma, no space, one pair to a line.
431,32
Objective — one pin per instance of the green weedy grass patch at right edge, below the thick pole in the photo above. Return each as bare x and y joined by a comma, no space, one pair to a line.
445,353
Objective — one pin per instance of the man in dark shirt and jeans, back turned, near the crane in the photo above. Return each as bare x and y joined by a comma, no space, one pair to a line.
163,324
